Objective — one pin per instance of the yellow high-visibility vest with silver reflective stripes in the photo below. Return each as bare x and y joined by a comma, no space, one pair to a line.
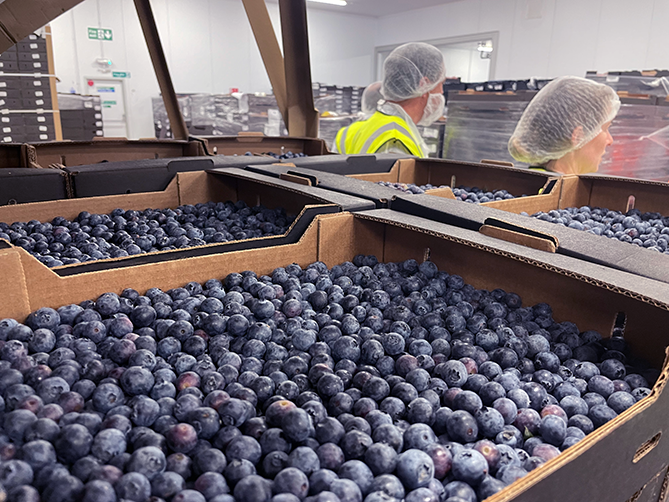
368,136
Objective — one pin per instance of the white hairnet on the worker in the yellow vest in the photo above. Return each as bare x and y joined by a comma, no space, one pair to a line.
411,70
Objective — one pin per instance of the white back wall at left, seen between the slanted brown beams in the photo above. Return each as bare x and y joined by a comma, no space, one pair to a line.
209,46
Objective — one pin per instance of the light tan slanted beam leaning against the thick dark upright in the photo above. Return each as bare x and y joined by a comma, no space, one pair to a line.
270,51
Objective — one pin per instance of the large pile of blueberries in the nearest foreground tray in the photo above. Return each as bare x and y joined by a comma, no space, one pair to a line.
366,381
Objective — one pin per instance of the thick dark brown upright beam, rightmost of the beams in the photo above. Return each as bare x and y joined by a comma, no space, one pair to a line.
302,116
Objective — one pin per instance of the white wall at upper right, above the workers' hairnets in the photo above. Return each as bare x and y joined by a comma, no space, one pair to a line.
546,38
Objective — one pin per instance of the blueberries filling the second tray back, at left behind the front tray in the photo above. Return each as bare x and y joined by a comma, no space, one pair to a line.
123,233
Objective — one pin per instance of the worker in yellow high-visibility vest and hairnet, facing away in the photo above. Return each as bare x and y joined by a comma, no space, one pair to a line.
411,94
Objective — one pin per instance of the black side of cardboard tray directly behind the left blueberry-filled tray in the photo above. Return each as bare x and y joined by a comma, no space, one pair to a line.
114,178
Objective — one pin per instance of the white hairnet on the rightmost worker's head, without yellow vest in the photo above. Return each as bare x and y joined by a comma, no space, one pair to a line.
564,116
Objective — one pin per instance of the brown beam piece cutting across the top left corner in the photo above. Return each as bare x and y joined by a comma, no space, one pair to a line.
20,18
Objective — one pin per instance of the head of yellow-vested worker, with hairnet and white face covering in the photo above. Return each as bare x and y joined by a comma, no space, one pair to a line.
413,75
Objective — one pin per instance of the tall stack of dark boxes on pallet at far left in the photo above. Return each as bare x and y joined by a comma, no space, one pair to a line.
28,109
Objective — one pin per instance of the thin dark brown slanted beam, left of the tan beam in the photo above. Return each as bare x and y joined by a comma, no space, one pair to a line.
150,29
